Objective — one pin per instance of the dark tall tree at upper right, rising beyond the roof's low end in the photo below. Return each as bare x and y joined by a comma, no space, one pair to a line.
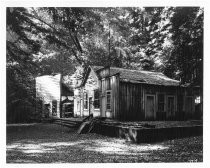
187,29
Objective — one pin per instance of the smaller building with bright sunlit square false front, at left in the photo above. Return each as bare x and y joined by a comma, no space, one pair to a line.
54,97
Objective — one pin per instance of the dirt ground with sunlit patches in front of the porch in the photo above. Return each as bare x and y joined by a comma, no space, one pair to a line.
50,143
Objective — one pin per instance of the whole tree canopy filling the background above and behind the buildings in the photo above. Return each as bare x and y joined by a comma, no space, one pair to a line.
50,40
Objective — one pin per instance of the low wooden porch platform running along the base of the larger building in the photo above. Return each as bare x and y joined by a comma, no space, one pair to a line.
137,132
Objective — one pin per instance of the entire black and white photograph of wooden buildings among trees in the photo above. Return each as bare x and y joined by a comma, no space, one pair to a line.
105,84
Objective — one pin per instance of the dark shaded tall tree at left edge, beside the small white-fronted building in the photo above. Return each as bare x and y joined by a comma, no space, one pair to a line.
20,47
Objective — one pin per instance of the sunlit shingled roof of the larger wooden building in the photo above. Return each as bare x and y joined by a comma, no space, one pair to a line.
140,76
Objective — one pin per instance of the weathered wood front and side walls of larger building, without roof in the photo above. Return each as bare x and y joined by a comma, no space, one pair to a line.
133,101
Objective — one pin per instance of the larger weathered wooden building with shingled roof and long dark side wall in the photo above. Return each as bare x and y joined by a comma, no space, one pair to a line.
125,94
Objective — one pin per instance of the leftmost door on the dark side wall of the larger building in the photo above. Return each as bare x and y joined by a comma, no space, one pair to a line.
150,107
